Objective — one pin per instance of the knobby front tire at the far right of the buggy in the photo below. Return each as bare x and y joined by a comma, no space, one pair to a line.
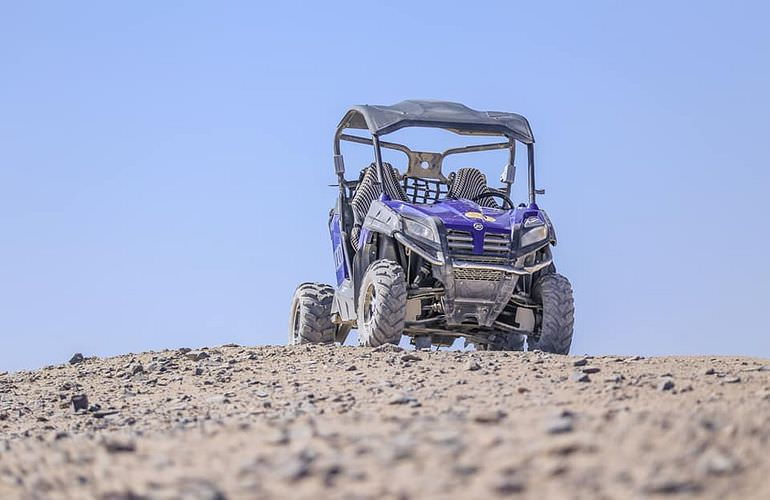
555,293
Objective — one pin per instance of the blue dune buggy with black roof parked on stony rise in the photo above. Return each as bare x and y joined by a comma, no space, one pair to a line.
432,256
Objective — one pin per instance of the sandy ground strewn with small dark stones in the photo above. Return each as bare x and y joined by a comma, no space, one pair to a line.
344,422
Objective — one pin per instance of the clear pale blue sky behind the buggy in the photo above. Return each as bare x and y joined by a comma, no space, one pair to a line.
163,164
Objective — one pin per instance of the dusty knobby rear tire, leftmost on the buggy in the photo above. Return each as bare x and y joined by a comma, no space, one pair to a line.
310,318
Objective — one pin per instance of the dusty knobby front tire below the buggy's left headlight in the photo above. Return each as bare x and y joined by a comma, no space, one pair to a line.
382,304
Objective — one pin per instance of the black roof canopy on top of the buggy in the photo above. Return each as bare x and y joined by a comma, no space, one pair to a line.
452,116
